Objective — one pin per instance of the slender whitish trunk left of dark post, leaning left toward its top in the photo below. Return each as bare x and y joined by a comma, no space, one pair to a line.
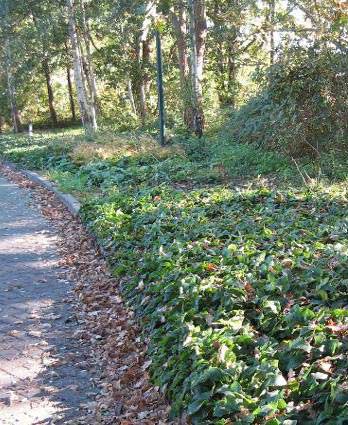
87,110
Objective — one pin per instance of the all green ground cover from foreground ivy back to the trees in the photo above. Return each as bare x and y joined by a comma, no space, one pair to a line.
241,290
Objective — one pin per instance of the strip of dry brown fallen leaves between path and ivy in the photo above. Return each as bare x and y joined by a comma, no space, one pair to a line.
116,350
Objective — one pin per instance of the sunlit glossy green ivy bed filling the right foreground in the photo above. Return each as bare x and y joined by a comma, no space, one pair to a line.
242,295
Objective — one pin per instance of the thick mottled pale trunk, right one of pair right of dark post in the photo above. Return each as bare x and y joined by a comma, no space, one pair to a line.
198,35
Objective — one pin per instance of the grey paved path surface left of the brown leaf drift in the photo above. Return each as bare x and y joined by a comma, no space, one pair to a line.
43,376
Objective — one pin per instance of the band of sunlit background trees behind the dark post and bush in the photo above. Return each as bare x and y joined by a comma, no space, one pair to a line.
98,58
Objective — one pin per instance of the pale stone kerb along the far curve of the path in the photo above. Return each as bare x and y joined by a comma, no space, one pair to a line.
70,202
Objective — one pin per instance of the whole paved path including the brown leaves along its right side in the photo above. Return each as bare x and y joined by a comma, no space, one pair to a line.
55,361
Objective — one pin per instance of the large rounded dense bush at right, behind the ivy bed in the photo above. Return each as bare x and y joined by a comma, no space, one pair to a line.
303,107
